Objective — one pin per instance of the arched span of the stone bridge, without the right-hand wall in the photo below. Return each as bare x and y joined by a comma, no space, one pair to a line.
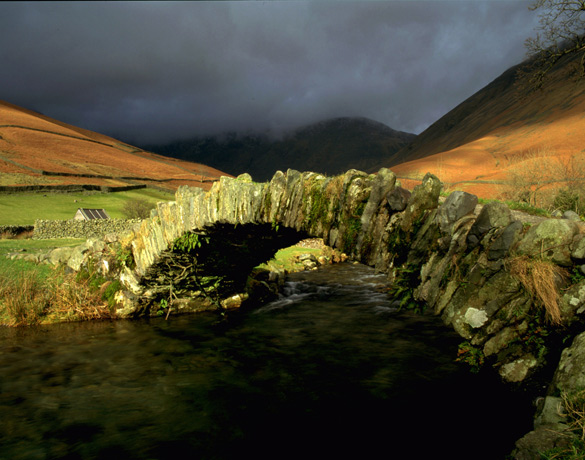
205,239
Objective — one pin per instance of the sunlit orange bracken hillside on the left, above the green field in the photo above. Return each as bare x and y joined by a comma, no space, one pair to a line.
38,150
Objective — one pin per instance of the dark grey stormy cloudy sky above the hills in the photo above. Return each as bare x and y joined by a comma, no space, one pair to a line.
155,72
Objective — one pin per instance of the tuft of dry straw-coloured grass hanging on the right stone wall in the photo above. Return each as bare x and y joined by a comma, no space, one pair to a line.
540,279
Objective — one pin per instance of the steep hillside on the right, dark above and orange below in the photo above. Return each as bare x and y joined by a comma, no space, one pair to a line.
476,145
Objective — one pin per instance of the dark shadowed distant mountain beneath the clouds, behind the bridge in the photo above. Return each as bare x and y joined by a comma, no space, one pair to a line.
330,147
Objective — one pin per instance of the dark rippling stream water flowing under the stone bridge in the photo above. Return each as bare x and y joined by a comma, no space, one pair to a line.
330,371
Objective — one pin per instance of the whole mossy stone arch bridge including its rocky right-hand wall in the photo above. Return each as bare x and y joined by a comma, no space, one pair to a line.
454,258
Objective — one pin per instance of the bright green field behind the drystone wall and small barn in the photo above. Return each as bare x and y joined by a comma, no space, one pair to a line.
25,208
